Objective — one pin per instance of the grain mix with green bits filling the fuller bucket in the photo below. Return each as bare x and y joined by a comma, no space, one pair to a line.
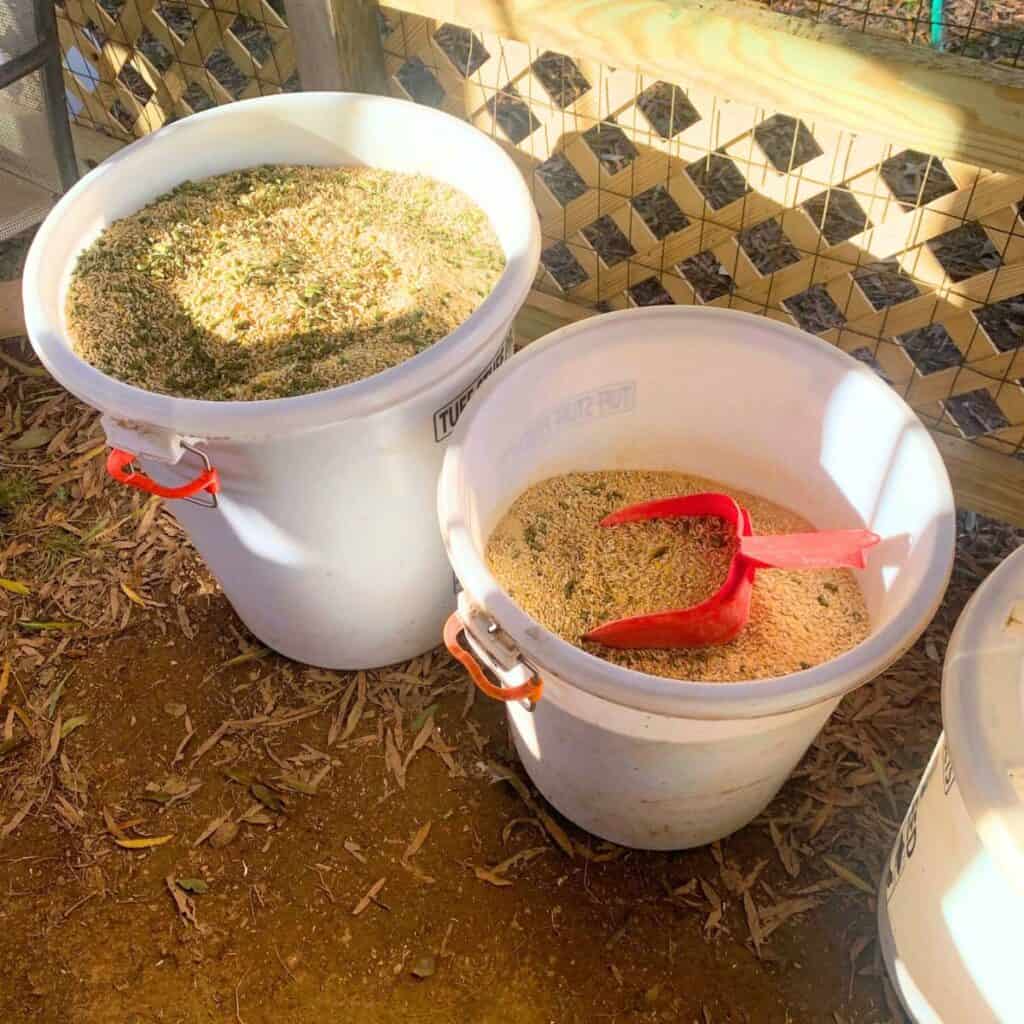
280,281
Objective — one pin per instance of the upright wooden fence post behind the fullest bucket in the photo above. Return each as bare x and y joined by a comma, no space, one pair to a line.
337,46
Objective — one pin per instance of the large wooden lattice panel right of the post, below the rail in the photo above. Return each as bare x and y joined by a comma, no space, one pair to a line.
655,193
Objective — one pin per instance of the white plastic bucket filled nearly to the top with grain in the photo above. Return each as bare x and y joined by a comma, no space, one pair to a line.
325,539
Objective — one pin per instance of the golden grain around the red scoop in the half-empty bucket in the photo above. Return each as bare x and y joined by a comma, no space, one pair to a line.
571,575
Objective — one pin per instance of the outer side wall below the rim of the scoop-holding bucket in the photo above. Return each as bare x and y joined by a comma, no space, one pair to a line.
656,783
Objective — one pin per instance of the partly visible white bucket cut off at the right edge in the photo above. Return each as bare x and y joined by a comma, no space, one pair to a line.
952,902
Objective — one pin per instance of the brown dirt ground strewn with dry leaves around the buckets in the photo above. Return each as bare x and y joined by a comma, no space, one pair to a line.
194,830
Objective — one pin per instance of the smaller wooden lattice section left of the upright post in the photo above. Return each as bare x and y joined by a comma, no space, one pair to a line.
133,66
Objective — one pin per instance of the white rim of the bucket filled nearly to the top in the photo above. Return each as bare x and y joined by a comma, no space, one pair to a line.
309,412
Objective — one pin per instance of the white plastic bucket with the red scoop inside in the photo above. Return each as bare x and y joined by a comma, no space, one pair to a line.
659,763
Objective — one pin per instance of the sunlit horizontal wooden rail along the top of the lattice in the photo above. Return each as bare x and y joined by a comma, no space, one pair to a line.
941,104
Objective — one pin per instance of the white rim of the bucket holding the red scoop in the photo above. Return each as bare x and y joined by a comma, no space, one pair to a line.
657,695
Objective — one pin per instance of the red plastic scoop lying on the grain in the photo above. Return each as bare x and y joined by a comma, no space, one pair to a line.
721,618
